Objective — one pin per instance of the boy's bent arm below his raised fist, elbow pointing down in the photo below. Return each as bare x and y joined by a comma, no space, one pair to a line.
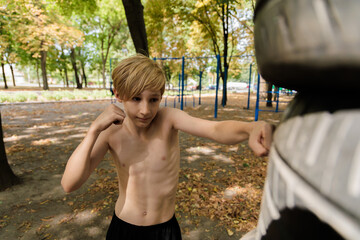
84,160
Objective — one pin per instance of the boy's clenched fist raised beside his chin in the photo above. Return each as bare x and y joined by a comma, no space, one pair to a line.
112,115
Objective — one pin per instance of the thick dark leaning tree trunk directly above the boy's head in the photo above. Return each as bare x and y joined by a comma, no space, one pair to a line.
134,12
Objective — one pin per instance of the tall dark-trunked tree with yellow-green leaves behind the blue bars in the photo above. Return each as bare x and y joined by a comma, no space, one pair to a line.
216,21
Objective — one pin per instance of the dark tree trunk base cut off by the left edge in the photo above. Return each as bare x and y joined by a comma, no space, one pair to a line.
7,176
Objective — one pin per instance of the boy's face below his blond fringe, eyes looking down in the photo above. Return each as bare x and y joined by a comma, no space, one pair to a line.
143,108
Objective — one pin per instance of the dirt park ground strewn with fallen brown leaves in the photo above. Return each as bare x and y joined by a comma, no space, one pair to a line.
219,190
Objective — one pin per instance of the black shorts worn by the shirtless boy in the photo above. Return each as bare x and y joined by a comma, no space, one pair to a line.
121,230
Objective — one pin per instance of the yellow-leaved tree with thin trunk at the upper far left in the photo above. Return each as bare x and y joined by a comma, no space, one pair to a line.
37,26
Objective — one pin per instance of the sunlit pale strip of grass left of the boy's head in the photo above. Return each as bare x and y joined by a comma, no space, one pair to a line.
44,96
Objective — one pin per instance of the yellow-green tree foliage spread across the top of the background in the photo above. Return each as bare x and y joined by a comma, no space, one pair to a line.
175,28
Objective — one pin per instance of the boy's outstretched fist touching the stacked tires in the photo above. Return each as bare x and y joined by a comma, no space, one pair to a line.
260,138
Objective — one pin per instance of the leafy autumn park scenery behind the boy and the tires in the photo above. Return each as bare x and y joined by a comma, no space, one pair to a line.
56,59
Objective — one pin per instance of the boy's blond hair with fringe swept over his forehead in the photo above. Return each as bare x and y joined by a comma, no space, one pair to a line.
135,74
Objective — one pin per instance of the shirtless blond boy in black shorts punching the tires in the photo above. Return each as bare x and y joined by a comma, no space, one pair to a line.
144,143
